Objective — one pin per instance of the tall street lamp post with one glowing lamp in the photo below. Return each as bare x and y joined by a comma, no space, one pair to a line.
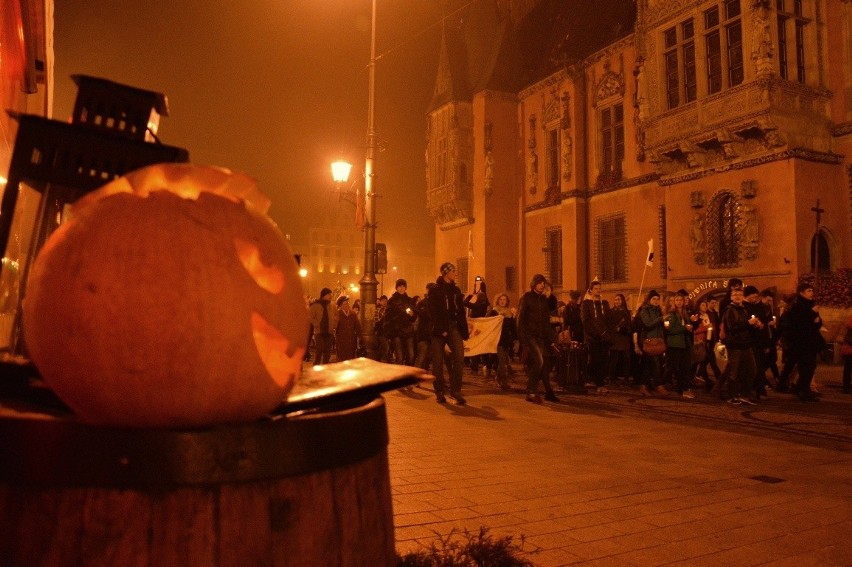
368,282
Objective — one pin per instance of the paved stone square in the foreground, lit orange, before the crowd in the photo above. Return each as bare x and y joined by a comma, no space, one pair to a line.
618,479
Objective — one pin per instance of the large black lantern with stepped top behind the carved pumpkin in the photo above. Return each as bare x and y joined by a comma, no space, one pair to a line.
113,132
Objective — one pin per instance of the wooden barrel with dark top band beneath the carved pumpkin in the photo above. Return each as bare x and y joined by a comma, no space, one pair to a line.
312,489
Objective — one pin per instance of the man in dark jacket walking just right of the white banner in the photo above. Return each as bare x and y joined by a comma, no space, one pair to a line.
539,336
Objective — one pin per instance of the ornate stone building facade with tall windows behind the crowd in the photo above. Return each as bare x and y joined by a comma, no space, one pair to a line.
564,136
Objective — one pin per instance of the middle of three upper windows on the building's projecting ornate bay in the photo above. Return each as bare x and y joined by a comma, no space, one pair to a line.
723,38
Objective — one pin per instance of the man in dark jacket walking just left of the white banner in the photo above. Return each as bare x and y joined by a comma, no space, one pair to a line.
449,328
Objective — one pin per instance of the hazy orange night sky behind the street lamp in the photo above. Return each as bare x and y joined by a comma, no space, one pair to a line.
275,89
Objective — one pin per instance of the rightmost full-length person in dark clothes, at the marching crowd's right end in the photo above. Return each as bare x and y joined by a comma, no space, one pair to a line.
804,340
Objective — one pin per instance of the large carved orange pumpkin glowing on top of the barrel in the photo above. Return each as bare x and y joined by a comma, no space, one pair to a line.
163,304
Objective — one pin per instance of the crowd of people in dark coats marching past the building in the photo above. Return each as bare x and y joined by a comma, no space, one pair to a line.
668,346
